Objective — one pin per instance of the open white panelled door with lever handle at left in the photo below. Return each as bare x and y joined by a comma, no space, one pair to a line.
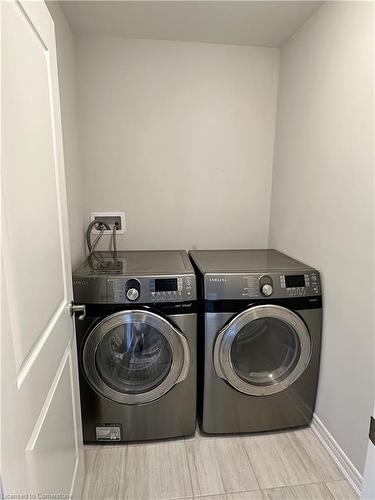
41,437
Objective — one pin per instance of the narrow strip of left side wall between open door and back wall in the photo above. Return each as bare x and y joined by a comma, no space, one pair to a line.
67,85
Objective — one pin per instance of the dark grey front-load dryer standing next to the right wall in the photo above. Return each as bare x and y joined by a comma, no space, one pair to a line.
261,314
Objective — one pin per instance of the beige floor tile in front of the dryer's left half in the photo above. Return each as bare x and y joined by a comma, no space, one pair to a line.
219,466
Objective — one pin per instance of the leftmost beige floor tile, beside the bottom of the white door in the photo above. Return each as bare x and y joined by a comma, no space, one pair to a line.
104,466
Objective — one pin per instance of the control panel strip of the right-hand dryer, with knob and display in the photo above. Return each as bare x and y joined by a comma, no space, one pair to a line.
233,286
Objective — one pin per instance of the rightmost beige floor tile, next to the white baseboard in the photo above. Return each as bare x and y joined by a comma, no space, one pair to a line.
289,458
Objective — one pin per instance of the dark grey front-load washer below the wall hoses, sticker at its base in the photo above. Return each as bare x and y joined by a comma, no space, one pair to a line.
136,338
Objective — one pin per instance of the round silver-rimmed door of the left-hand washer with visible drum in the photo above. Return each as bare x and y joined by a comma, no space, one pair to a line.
135,356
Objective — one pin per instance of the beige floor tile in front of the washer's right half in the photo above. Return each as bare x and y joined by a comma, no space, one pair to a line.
156,471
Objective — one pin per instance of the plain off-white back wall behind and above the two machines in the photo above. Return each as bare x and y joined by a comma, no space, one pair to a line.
180,137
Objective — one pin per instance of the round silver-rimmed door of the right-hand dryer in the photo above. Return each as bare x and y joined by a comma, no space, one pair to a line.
263,350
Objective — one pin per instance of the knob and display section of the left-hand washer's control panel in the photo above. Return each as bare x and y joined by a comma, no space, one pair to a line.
149,289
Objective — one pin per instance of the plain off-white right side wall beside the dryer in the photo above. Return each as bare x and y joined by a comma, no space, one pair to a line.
322,201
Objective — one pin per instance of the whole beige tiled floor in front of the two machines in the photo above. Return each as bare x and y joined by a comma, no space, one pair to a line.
280,466
